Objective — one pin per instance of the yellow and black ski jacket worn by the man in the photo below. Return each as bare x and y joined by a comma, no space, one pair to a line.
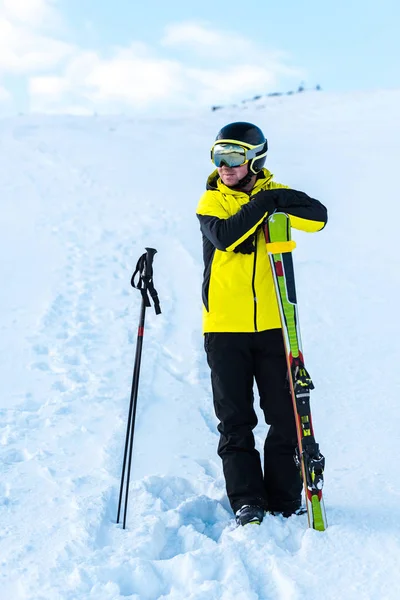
238,289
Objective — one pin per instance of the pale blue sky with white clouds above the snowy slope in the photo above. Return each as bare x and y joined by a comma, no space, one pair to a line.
85,56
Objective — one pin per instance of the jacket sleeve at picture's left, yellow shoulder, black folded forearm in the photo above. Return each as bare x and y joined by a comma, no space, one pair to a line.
227,232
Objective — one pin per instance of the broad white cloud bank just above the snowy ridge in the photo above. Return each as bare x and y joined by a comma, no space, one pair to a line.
137,77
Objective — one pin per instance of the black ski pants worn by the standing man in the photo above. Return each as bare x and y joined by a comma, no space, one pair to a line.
236,360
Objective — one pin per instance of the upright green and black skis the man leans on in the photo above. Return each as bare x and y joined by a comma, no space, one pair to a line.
308,457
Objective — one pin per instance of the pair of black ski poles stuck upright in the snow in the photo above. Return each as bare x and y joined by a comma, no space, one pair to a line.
144,283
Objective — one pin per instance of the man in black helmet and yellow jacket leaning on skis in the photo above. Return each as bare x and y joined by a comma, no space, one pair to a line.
241,323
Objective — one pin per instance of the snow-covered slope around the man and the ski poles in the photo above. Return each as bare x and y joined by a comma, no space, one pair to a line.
81,198
